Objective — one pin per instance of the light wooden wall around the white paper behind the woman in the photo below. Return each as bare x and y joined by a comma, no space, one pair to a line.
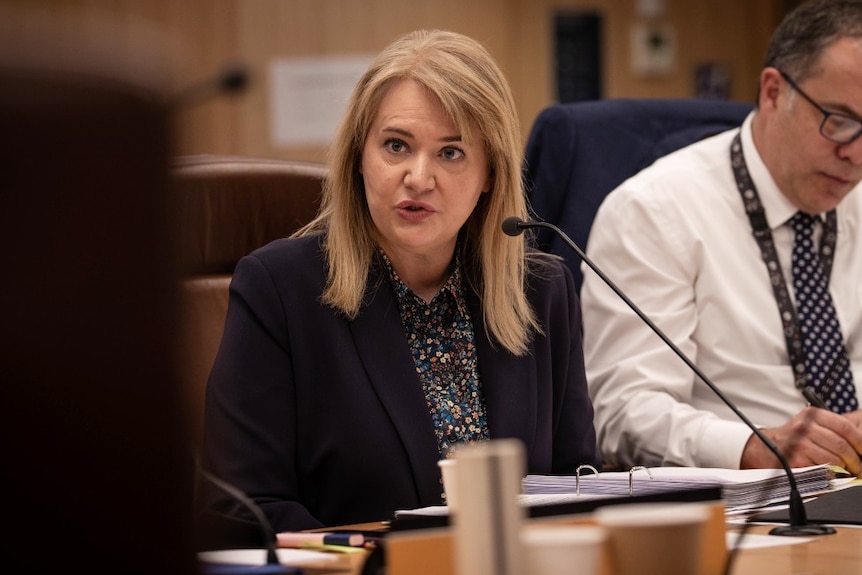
272,29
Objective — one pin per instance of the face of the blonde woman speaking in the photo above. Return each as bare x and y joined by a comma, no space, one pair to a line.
422,181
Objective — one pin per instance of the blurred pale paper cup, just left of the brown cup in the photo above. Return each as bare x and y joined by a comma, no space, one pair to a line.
563,549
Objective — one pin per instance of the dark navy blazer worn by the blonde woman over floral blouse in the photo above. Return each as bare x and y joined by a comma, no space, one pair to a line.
323,421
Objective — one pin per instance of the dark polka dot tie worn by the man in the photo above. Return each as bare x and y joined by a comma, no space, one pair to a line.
827,361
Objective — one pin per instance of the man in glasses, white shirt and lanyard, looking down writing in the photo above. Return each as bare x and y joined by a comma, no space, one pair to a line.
677,238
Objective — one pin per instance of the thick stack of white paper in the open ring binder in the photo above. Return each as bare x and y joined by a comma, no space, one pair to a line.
741,489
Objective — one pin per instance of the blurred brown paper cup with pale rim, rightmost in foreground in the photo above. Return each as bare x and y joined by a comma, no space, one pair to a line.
654,538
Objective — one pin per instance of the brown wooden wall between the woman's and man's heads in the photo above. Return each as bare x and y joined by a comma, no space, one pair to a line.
731,32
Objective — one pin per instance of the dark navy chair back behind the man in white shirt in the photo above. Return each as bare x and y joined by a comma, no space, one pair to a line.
578,152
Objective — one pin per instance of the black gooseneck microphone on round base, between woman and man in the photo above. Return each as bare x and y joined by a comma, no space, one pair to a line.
799,525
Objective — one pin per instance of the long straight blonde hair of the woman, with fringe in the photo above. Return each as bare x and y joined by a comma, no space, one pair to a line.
474,93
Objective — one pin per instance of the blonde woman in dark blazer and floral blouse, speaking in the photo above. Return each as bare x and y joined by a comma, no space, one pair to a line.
402,321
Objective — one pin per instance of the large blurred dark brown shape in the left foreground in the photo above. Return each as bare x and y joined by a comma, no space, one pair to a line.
95,464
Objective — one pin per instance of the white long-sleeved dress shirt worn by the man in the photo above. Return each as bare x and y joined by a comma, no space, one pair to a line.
676,239
